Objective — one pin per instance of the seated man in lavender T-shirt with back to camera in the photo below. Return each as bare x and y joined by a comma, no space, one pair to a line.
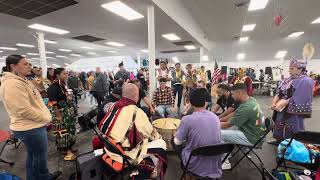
200,128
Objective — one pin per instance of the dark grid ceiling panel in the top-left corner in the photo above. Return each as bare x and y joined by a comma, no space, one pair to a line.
32,8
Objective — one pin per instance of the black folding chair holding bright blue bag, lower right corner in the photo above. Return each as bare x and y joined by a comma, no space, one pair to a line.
307,137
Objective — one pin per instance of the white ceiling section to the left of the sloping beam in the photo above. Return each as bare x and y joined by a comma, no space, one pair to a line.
89,18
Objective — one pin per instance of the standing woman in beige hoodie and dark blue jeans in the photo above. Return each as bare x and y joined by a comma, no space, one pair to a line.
28,116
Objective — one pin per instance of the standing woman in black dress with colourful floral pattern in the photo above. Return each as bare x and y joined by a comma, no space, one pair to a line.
63,114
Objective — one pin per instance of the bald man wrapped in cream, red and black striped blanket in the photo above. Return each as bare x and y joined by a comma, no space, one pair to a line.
124,115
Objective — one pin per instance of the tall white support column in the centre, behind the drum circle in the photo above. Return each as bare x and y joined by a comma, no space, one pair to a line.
152,50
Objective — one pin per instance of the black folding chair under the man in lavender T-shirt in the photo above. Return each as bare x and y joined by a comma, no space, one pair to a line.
211,150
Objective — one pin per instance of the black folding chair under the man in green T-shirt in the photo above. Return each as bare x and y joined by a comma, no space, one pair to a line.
269,125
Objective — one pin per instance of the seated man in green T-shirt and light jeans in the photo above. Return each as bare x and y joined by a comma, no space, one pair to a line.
244,127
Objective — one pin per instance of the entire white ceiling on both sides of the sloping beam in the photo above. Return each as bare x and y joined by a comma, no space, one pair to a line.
218,19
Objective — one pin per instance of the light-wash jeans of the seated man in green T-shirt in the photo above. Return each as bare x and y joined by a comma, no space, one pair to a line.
235,137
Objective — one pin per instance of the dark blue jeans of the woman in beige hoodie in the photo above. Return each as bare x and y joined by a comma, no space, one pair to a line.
36,142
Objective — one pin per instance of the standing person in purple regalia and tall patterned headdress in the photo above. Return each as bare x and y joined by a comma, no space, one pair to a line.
292,102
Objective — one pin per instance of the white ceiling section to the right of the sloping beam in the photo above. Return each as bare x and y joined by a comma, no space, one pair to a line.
221,21
